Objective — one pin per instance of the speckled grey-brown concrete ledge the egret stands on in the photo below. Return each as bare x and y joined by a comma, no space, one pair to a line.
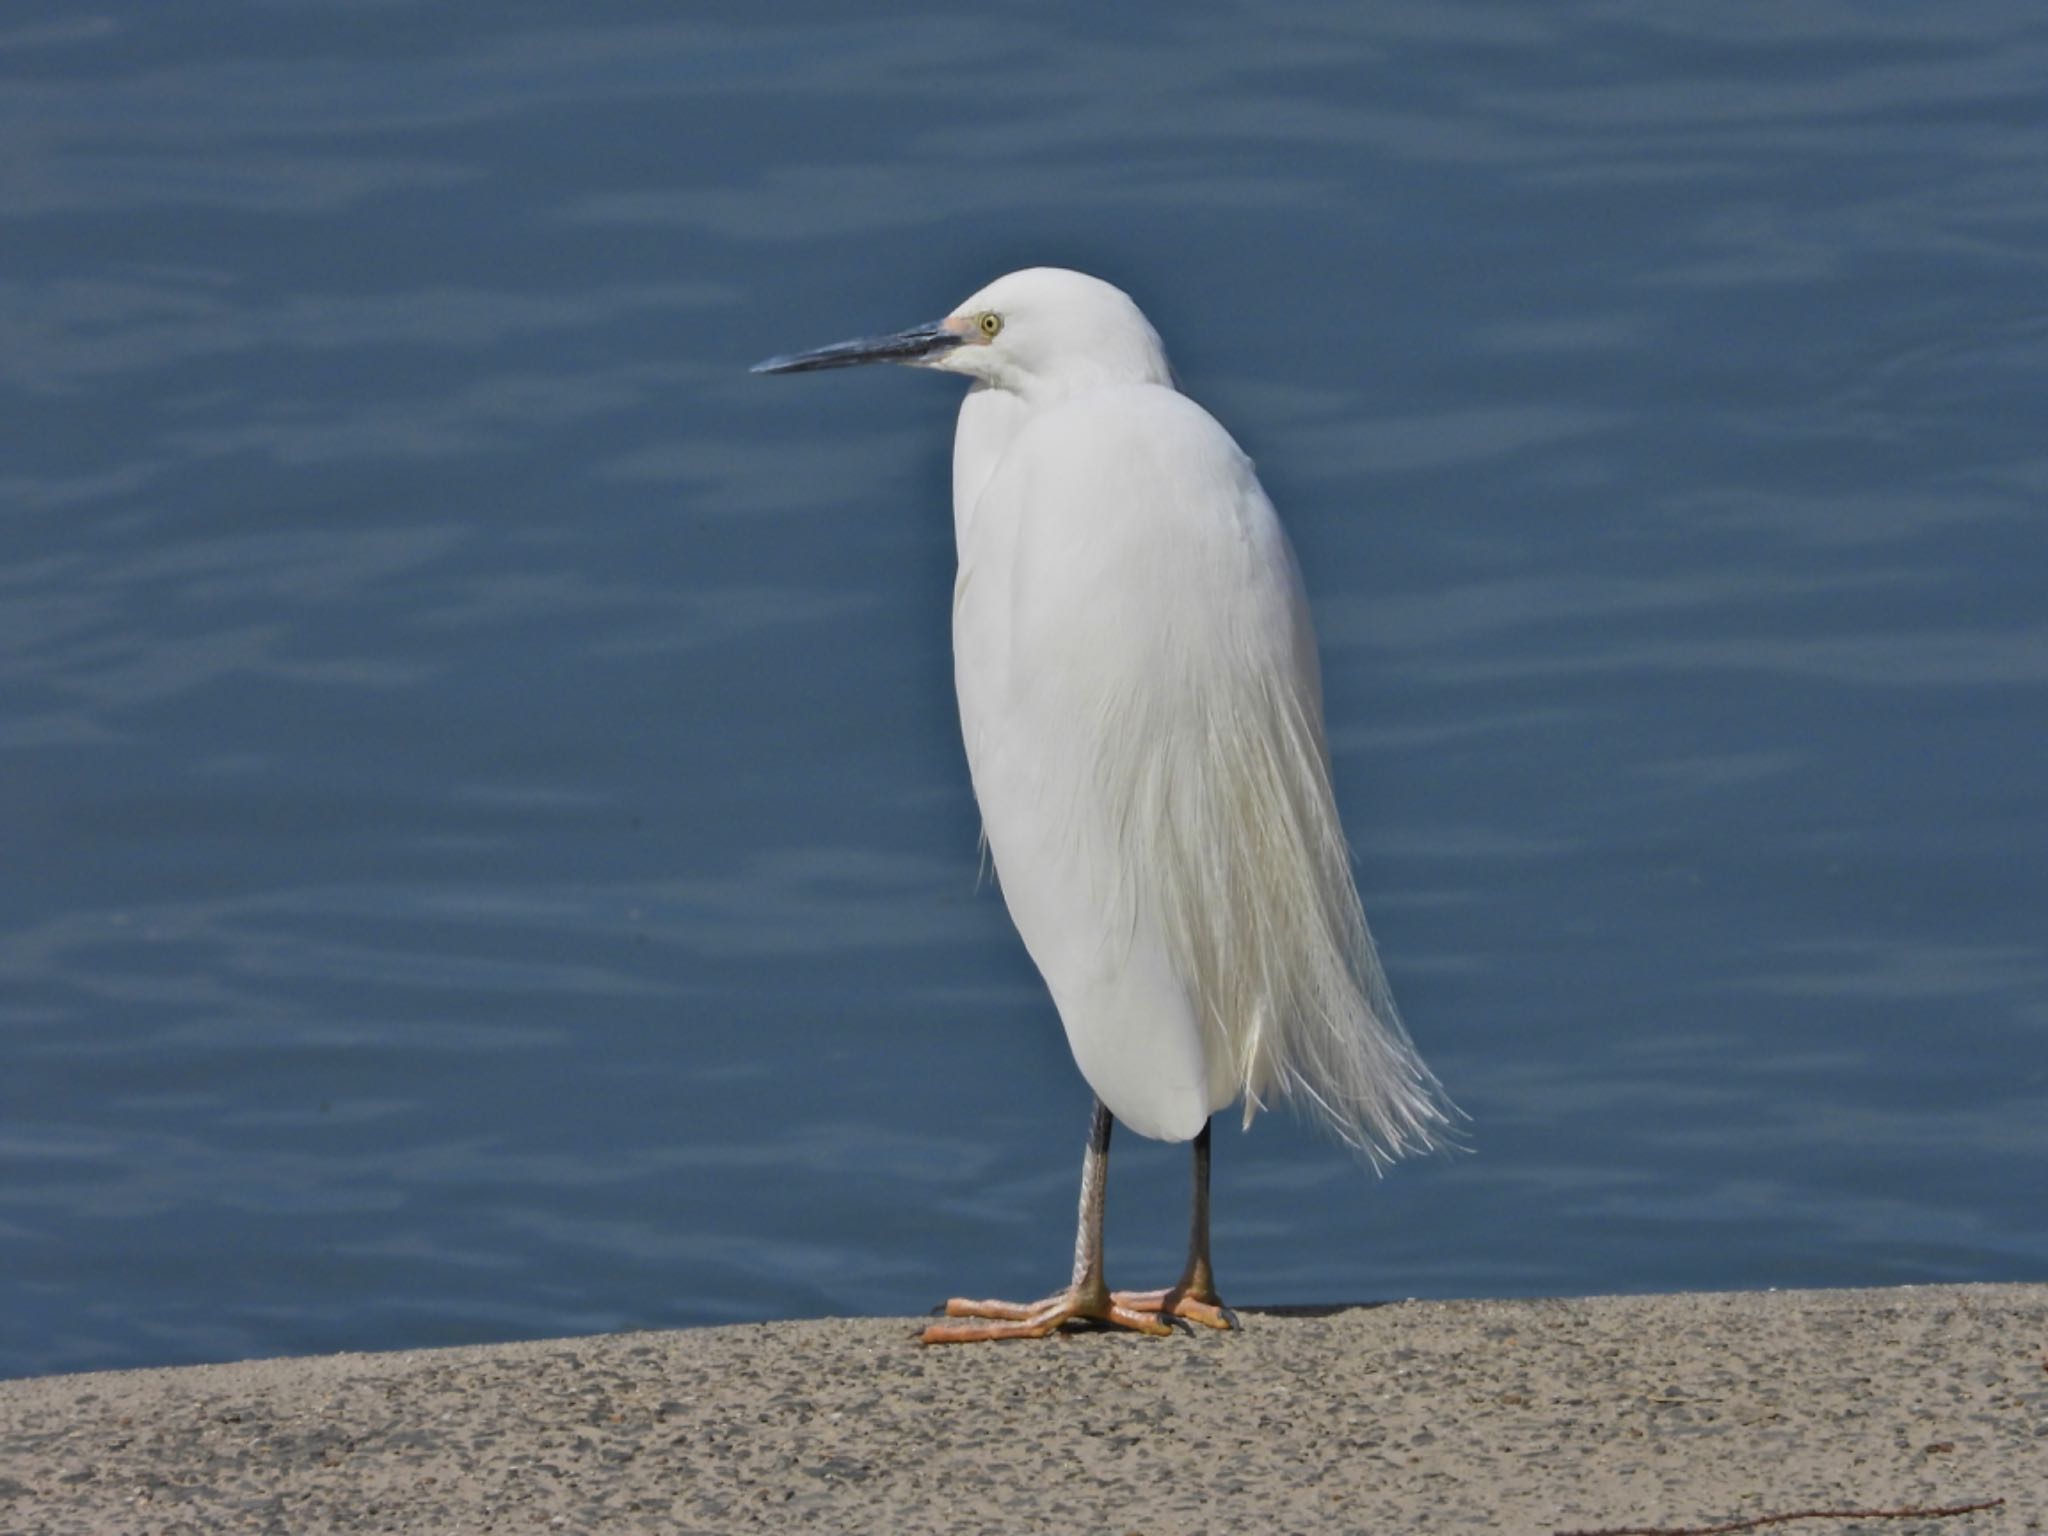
1498,1416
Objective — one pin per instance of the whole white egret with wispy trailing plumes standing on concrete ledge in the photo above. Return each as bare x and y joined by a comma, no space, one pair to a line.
1144,720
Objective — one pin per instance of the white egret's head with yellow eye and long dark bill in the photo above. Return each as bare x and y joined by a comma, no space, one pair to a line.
1039,333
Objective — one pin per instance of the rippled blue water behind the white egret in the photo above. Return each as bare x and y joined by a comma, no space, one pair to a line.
484,845
